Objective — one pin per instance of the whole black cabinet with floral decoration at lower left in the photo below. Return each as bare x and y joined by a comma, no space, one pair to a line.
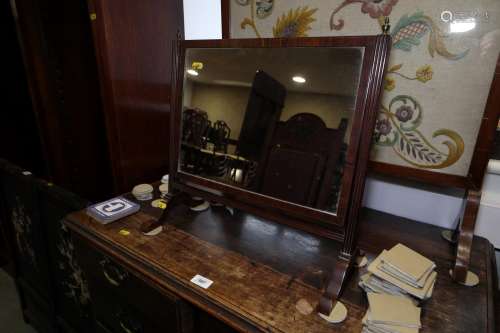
53,292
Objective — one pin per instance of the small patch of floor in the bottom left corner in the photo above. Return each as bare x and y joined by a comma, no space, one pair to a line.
10,310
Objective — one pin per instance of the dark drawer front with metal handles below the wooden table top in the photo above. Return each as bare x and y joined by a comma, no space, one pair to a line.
123,302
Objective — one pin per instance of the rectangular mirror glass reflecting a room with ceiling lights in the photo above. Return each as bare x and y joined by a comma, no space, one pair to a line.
275,121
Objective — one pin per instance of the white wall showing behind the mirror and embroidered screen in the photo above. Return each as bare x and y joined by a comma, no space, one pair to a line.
423,203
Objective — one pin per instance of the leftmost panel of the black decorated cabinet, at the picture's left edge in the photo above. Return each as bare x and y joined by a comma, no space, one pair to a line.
26,230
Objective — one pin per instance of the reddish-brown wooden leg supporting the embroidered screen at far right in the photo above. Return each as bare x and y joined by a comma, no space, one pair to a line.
466,236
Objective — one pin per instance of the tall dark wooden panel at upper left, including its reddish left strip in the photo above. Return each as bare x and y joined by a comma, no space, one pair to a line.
61,69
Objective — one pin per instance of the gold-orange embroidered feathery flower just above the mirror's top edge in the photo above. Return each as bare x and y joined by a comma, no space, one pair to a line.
295,23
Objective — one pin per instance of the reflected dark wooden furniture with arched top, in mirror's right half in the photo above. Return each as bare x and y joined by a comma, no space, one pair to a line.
315,151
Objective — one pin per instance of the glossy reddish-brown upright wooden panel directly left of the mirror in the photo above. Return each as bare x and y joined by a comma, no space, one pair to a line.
133,41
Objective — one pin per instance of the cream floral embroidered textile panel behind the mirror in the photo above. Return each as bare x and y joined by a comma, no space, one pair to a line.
441,67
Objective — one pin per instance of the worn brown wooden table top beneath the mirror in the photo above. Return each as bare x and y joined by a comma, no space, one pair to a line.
262,269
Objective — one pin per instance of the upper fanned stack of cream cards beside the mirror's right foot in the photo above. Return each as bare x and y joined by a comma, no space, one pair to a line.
400,272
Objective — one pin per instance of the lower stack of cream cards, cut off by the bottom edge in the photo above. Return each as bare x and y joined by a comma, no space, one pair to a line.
391,314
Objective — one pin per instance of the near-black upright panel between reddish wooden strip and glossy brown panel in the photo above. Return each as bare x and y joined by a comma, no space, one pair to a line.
82,132
